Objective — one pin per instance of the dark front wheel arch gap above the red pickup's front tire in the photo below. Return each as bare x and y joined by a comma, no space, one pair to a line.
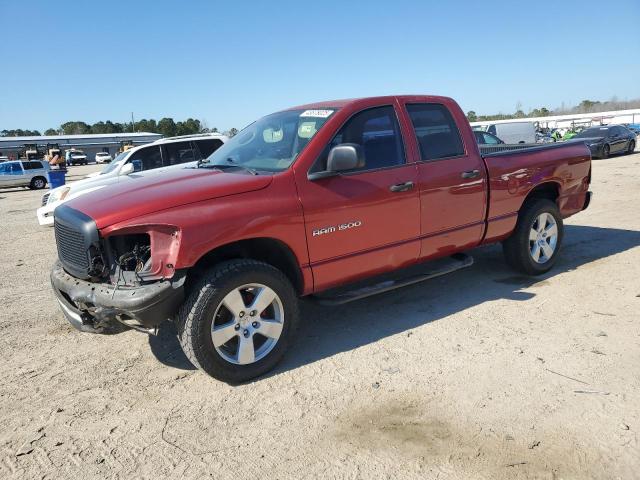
265,249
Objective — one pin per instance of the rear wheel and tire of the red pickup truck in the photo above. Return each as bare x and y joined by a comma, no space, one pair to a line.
533,246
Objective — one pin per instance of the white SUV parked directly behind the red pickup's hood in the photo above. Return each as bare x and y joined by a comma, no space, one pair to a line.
150,159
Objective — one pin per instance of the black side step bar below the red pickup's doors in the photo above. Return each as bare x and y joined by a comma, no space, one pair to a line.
427,271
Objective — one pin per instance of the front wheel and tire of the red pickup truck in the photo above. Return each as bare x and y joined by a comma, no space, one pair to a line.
238,320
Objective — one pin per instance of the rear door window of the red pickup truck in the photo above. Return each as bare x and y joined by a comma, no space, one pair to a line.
436,131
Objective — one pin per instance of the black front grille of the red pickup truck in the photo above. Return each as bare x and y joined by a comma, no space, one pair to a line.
77,240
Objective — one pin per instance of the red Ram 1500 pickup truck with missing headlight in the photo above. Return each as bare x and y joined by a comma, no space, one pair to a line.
323,200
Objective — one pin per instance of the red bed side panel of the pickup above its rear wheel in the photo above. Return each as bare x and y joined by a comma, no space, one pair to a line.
514,175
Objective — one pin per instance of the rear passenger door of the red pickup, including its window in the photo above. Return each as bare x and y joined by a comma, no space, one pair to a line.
451,178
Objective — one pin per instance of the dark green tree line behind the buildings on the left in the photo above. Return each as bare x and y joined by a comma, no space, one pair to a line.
165,126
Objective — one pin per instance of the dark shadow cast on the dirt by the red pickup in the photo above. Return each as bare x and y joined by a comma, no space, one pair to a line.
327,331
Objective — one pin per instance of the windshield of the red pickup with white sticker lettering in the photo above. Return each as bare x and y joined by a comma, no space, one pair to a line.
272,143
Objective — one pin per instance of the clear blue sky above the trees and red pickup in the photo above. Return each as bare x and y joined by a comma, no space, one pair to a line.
231,62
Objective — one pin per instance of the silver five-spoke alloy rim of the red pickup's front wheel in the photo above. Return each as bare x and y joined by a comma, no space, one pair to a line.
247,324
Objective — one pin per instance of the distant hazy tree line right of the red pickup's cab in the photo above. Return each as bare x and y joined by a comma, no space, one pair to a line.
586,106
